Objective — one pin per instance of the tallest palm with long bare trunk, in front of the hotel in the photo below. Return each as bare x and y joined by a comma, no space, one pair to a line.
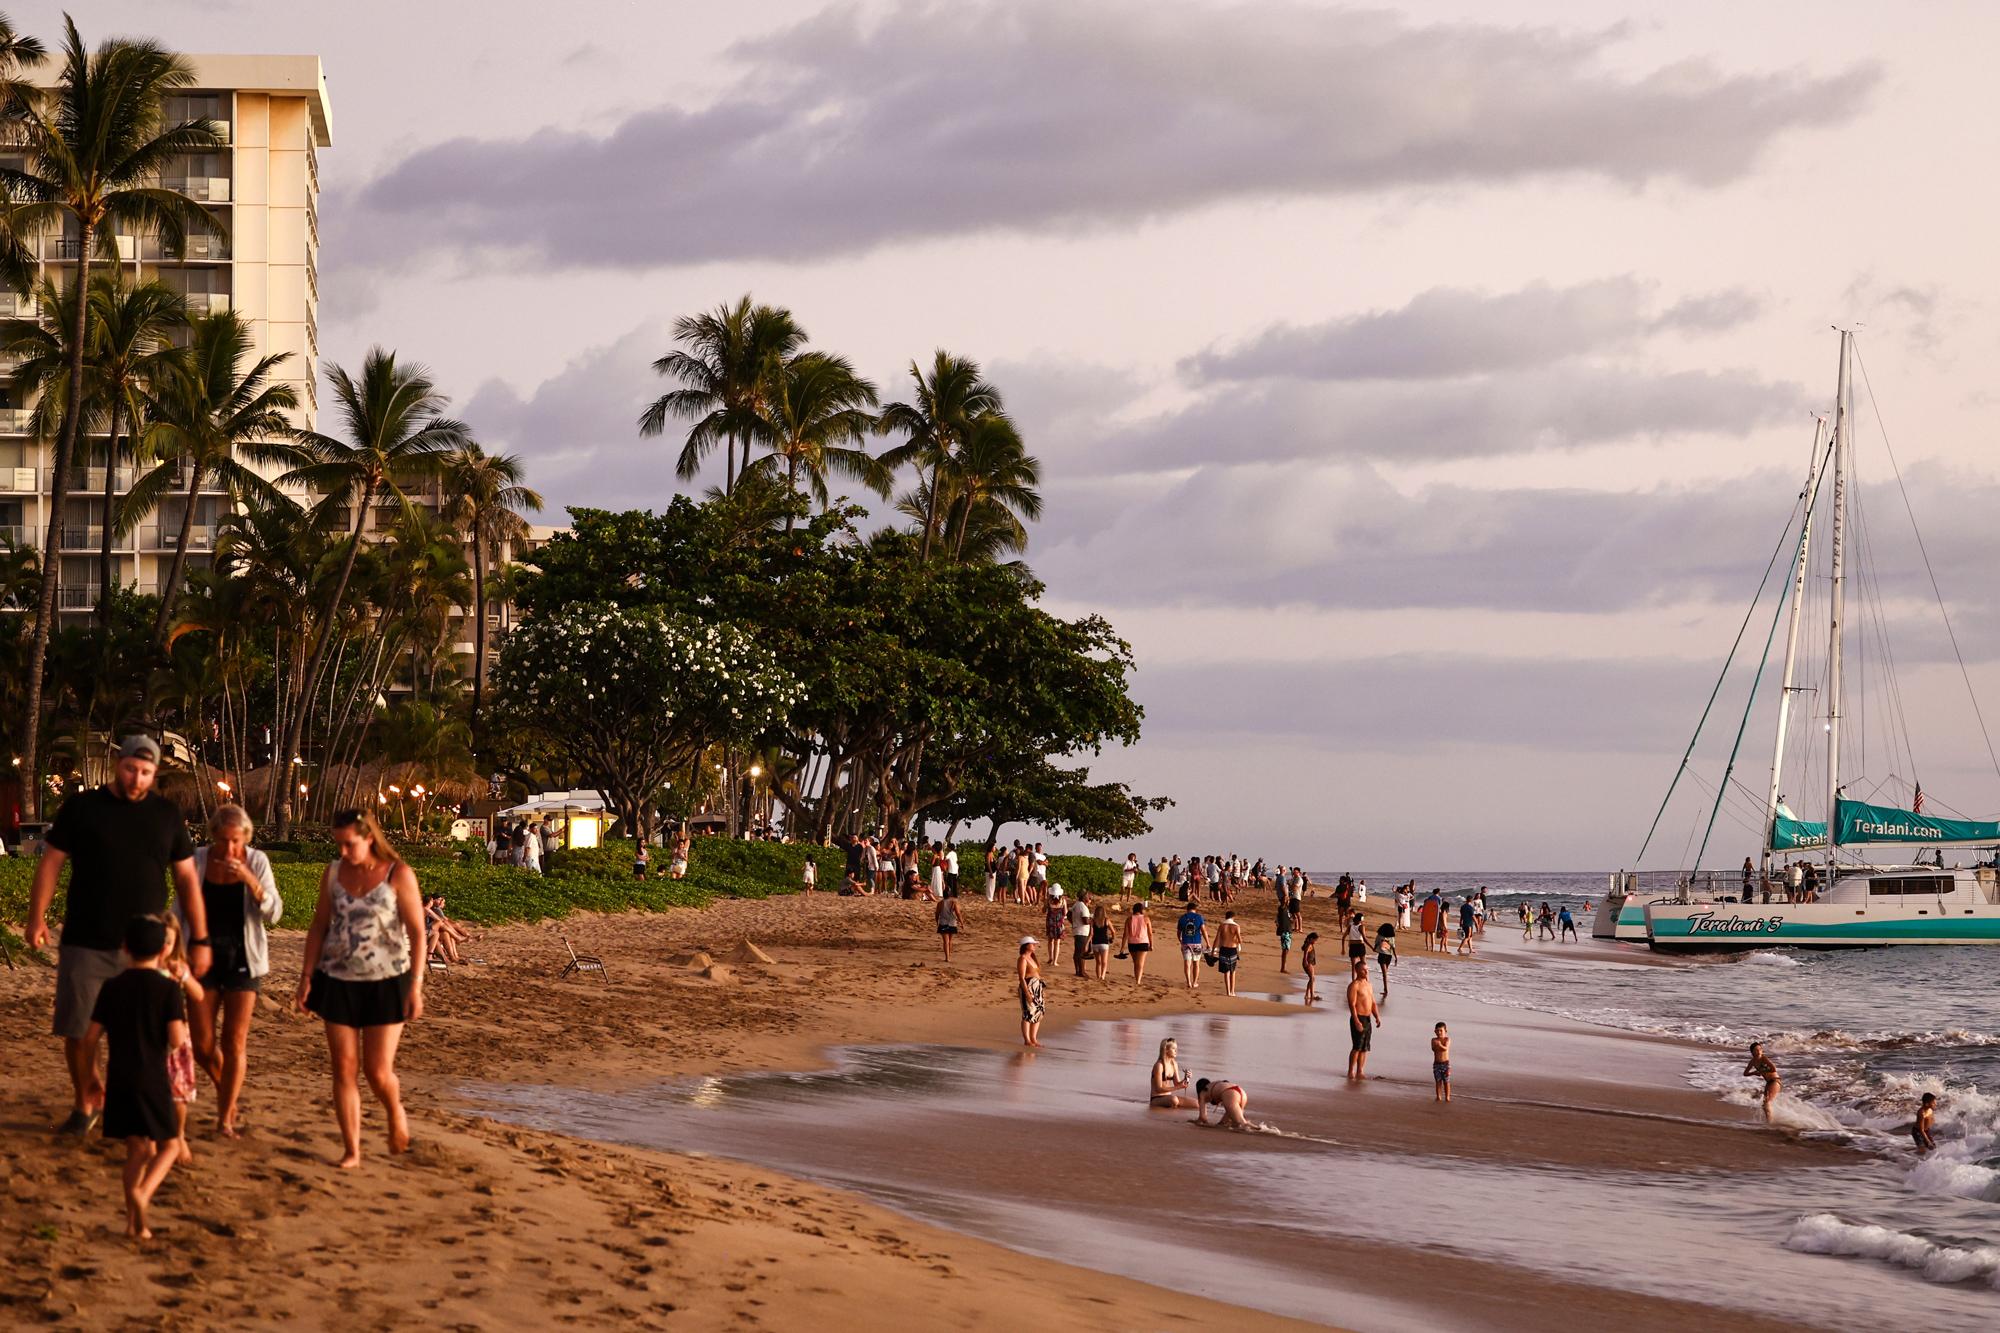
93,151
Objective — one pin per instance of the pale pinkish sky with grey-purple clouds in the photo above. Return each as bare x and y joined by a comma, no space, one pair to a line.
1421,389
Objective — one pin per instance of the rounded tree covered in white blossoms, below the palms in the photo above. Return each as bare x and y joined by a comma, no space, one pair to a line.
633,698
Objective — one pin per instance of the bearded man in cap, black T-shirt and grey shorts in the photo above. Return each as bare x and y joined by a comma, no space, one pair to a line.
121,842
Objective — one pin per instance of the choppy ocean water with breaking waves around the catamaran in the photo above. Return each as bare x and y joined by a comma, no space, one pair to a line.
1859,1038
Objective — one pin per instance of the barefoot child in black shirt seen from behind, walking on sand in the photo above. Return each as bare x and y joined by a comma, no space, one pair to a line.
143,1016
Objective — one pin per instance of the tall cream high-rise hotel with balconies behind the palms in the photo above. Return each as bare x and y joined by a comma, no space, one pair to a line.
265,187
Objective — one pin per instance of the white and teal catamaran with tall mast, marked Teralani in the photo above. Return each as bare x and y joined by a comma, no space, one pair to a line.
1857,902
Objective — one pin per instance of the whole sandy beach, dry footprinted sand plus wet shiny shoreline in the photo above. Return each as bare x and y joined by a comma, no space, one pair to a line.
857,1072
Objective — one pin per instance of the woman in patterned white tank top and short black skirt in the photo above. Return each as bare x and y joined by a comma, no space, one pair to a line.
365,974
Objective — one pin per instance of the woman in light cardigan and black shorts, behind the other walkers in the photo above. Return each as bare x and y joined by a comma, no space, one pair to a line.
243,904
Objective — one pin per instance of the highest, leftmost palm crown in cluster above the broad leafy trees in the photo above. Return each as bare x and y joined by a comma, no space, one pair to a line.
723,367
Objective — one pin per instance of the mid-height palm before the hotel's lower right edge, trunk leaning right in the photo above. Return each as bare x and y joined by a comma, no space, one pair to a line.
211,411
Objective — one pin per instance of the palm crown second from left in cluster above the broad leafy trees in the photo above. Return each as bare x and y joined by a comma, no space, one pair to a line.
815,421
